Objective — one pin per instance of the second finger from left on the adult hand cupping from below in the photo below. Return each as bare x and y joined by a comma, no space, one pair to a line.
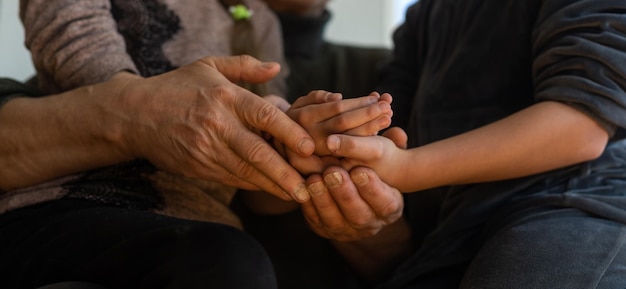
353,207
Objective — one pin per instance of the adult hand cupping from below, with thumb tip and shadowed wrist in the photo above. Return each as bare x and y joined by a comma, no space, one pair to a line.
361,215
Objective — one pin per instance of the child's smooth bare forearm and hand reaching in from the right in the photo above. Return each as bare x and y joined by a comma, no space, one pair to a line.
545,136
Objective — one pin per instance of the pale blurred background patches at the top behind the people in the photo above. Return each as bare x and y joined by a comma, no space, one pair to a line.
359,22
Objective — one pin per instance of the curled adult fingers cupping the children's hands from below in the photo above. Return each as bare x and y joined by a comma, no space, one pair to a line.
350,206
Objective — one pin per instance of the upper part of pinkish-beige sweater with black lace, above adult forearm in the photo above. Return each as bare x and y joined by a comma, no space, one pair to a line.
75,43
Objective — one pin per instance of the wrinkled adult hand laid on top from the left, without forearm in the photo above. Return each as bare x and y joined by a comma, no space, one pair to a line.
195,122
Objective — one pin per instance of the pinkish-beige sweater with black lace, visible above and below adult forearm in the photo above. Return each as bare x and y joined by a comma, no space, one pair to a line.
76,43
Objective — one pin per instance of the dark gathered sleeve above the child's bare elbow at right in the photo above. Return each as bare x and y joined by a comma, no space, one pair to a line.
580,58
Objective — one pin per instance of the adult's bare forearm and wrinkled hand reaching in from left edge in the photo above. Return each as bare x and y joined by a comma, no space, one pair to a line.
192,121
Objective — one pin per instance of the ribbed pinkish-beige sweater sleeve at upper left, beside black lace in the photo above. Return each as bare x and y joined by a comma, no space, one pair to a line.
73,43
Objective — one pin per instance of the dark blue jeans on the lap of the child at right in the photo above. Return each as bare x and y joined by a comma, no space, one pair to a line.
561,229
